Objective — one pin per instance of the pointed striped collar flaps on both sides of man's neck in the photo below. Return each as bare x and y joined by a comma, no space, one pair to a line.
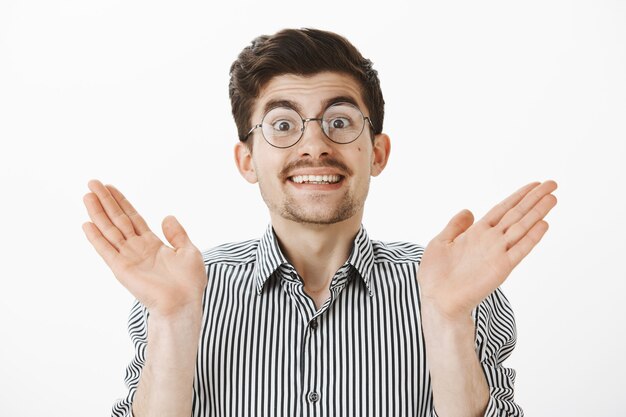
269,258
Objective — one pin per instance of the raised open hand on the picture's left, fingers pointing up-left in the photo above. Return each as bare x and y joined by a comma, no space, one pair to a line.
165,279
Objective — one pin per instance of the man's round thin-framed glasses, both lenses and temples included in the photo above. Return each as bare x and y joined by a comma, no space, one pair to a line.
283,127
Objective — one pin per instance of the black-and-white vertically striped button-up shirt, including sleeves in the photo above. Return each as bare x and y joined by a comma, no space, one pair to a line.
266,350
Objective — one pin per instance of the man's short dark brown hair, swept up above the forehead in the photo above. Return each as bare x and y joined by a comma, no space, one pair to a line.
300,52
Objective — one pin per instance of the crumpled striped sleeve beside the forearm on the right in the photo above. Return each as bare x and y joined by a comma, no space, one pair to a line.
495,339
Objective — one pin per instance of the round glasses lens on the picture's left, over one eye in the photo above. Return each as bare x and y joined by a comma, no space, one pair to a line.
282,127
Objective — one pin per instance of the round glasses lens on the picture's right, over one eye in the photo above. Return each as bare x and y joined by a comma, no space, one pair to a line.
343,122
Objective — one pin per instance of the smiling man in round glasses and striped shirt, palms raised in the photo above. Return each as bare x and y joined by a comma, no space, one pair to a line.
314,318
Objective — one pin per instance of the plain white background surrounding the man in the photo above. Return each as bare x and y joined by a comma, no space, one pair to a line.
482,97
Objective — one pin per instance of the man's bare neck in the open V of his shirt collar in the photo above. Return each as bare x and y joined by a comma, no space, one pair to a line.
316,251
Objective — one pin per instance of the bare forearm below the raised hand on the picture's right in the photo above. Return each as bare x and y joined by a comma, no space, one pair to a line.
458,382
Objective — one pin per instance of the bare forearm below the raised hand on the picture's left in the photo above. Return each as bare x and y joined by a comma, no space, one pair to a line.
165,387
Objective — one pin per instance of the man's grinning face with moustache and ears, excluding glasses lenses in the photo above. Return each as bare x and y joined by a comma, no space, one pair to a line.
289,178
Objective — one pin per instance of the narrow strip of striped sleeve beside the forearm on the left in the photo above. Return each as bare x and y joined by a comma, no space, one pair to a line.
138,331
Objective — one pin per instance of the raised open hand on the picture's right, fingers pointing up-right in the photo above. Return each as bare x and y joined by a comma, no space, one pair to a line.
467,261
